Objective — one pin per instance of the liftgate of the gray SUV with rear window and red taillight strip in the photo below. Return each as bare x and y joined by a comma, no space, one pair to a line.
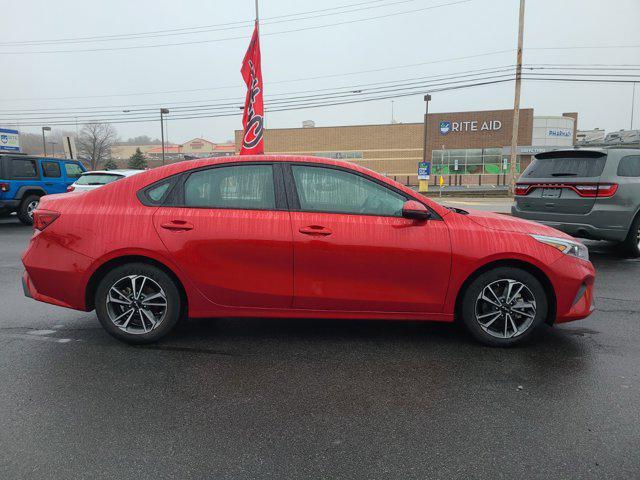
563,182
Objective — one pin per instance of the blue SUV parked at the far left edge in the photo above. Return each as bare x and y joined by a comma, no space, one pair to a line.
24,179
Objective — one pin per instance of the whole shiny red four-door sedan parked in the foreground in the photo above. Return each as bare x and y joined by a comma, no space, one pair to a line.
281,236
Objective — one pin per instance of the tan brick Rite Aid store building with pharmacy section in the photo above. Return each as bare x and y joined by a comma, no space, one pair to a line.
464,147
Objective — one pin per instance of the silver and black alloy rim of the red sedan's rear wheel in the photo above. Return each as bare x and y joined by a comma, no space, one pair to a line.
136,304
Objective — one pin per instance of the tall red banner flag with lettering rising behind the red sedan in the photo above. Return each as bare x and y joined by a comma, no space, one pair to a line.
253,117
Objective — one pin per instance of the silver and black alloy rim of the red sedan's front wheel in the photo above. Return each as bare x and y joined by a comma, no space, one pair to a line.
505,308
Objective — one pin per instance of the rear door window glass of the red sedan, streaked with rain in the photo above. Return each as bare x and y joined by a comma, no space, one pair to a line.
245,186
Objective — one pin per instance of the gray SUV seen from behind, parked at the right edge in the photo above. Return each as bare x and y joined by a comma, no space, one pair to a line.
587,193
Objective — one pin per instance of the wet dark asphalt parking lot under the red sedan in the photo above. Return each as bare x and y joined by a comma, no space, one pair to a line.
235,399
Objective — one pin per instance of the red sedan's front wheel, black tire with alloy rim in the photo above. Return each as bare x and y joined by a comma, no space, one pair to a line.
498,279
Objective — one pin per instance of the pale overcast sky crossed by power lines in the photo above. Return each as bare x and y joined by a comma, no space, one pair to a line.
120,78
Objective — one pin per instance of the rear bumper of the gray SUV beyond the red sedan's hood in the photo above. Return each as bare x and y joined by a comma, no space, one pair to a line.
590,226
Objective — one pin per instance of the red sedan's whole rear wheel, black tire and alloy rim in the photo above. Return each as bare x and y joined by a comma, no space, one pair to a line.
138,303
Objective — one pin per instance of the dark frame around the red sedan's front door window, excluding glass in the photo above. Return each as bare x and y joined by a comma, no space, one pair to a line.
294,201
